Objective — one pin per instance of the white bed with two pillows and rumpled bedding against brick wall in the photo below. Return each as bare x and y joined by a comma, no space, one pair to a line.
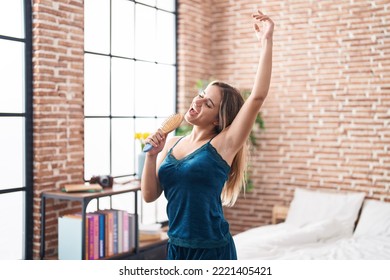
321,225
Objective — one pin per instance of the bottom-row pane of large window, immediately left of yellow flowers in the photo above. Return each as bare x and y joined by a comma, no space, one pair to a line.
122,147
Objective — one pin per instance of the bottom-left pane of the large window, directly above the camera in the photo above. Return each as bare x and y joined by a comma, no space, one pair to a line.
97,147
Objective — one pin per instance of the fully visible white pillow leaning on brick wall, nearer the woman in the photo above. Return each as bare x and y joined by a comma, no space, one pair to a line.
312,206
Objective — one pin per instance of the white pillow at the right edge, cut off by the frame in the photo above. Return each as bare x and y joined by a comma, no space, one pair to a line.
374,219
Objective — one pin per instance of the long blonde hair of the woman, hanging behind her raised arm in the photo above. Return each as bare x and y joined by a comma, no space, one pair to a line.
231,104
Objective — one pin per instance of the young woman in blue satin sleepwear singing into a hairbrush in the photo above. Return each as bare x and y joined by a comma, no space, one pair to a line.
203,171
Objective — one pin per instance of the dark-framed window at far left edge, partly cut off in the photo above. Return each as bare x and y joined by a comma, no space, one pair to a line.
16,127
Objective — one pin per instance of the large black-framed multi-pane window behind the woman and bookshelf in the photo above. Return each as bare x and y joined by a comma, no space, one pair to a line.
129,85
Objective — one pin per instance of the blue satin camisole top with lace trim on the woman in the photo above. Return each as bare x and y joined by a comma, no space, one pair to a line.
193,187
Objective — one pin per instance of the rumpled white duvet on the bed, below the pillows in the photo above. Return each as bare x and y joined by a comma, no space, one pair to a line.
281,242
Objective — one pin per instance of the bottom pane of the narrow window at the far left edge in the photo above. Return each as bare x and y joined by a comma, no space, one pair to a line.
12,219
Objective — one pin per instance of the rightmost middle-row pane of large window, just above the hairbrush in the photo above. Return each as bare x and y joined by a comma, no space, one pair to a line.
165,96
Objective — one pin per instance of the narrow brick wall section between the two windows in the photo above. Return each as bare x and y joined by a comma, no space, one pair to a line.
58,55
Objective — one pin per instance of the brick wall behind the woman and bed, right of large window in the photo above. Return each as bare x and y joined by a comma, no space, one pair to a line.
327,114
